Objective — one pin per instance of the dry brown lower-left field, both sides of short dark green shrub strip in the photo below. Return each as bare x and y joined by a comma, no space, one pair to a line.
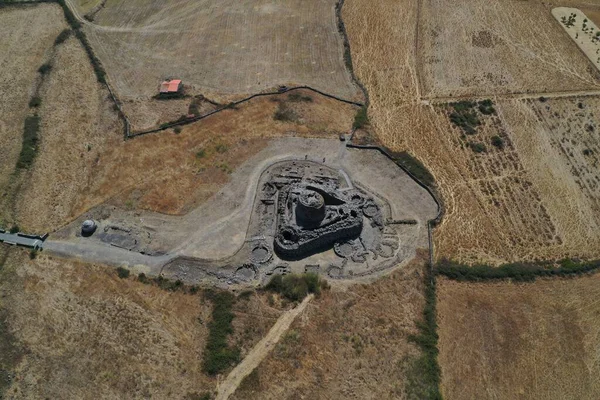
80,331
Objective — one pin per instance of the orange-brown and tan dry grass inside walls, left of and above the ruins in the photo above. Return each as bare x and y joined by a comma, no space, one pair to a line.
166,172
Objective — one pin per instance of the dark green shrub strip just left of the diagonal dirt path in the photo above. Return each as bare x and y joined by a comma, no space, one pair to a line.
218,355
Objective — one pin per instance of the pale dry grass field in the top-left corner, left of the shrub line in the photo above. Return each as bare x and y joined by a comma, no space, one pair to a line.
27,37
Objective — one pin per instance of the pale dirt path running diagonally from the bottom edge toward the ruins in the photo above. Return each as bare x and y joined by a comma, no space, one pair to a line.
260,351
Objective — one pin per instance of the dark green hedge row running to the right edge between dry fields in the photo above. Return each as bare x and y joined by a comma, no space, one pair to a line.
515,271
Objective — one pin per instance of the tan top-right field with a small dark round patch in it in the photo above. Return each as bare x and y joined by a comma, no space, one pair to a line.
486,48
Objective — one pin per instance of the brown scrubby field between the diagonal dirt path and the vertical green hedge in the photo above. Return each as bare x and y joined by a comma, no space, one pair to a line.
347,345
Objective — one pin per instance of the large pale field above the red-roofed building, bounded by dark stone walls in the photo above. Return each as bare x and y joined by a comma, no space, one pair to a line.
219,47
